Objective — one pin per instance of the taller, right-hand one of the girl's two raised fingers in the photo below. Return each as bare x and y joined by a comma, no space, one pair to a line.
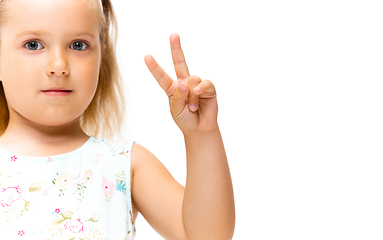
180,66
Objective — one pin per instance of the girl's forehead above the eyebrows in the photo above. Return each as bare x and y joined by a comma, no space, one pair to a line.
54,16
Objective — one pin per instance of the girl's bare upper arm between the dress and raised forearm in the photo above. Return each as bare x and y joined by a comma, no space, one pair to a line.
156,193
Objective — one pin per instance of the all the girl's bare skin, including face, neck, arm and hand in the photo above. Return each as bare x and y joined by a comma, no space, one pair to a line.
204,208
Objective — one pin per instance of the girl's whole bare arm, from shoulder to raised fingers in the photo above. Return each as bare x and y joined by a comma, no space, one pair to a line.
204,209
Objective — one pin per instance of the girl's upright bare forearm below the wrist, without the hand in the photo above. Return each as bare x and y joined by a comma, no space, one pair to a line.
208,206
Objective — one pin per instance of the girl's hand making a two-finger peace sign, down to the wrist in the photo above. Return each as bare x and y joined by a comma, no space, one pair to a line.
193,102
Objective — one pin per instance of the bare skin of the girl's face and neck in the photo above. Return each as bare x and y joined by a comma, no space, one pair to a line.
40,123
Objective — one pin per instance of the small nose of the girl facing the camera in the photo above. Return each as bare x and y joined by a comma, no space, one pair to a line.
58,63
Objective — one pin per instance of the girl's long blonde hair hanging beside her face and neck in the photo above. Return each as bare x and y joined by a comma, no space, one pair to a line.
105,115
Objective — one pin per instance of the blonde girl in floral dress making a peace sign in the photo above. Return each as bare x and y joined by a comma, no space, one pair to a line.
60,94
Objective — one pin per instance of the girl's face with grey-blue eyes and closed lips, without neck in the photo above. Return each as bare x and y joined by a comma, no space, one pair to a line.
44,45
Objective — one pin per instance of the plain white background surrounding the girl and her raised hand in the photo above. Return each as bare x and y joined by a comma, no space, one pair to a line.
300,95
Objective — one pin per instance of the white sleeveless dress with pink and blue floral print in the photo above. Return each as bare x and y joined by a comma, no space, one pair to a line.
83,194
